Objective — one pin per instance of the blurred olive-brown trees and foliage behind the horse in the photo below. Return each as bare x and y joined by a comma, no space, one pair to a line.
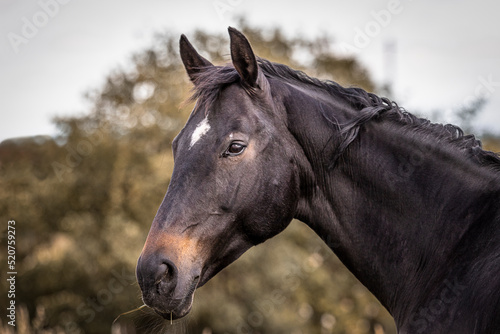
84,200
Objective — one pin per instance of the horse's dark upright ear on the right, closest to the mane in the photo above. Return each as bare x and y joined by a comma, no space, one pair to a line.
243,58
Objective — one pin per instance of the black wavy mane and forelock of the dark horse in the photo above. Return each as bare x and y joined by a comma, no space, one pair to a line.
209,83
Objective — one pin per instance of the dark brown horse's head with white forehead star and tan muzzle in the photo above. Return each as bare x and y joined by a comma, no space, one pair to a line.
235,182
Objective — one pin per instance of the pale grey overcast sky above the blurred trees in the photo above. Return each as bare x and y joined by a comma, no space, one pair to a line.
445,52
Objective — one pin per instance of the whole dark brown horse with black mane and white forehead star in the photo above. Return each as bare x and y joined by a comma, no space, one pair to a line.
412,208
